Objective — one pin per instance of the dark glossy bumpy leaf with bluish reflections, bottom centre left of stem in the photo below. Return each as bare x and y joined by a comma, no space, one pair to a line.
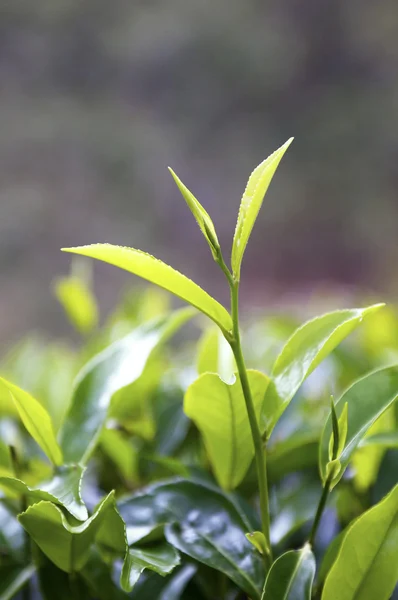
203,523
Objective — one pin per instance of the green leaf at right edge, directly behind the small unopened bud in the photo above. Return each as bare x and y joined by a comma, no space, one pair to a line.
367,399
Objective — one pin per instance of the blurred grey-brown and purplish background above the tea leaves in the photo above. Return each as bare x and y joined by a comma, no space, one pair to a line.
98,97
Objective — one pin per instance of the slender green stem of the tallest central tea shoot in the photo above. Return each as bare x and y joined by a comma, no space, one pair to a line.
236,346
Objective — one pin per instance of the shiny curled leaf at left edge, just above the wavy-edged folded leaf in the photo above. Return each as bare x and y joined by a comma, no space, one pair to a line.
63,489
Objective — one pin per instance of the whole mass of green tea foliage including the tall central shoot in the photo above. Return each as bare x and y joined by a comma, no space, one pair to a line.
115,488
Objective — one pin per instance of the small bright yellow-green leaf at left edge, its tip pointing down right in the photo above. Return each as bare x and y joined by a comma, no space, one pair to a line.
36,420
